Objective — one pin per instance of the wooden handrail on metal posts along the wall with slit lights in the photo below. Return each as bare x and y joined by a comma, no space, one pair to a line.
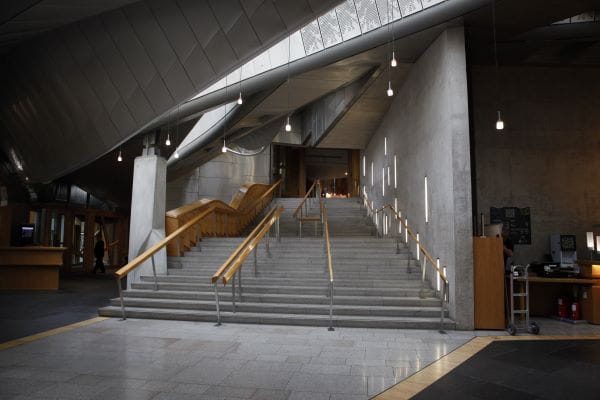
420,249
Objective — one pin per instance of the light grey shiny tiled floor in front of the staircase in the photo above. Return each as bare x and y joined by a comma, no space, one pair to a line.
146,359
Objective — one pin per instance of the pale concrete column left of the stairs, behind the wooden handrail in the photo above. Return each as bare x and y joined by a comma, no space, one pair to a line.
147,225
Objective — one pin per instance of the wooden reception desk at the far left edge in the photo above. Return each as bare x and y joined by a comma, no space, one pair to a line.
30,268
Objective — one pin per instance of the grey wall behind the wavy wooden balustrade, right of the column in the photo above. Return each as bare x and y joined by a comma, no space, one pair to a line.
219,178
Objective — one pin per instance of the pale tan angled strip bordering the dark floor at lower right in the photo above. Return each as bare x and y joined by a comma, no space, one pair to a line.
436,370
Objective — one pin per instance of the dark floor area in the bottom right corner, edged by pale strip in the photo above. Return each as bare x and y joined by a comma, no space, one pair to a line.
565,369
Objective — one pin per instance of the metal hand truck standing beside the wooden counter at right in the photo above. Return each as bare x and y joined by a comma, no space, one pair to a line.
519,278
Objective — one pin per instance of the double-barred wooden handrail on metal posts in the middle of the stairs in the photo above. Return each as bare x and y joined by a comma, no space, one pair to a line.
233,265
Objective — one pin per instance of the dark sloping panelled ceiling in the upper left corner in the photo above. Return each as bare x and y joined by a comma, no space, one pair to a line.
72,94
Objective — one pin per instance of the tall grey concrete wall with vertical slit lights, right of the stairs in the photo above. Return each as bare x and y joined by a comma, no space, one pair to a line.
427,129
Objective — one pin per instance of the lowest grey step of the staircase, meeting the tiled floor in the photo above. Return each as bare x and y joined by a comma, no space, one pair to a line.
280,319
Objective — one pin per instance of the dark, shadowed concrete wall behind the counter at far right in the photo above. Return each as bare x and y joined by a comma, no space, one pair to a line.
547,156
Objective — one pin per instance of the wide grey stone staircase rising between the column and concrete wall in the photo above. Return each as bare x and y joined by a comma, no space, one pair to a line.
374,286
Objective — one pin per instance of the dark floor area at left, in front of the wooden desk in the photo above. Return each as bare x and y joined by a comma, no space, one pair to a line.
24,313
